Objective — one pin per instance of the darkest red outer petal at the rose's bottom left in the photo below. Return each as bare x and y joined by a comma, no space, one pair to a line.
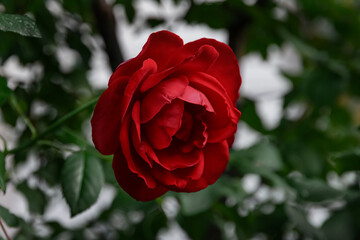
131,183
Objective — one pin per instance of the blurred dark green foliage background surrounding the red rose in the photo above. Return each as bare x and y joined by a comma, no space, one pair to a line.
308,164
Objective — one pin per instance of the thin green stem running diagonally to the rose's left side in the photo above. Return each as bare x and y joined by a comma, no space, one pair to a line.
53,126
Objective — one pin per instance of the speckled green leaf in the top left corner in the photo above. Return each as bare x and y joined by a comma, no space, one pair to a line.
22,25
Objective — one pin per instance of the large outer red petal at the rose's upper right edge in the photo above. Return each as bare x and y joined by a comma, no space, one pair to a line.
225,68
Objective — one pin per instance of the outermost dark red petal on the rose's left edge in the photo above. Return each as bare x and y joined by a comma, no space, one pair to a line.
105,121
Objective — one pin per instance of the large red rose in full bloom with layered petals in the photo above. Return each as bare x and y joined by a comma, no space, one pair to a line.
169,116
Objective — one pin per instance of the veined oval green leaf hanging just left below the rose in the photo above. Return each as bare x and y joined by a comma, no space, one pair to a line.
82,178
